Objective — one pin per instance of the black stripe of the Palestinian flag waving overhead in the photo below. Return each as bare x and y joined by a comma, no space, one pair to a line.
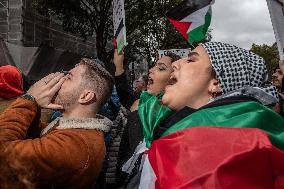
186,8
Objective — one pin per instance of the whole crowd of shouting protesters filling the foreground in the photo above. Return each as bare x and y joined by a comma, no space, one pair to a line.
101,130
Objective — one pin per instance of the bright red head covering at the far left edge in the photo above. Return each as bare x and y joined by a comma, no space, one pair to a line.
11,82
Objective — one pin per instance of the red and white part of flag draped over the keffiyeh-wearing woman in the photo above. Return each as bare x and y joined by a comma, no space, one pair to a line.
213,158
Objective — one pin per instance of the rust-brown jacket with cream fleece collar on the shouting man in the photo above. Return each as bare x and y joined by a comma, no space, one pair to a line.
64,158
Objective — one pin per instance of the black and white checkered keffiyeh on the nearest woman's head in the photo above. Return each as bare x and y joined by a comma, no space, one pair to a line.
237,68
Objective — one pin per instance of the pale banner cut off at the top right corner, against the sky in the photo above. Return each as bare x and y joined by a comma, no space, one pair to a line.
276,10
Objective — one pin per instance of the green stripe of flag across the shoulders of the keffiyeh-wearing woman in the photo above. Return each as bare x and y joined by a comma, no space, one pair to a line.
238,115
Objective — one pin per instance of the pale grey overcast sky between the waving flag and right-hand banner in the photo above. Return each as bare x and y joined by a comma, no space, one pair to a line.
242,22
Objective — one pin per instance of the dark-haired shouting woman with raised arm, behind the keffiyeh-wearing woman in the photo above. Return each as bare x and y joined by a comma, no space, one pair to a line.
158,79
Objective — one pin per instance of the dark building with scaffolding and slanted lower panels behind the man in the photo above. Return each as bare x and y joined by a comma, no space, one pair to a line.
38,45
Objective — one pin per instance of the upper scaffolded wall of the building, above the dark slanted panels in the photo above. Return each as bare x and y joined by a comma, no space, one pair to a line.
20,25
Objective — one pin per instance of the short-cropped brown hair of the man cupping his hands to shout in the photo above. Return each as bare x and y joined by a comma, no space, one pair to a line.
98,79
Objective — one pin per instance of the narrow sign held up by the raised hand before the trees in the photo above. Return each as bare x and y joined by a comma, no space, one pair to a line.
119,24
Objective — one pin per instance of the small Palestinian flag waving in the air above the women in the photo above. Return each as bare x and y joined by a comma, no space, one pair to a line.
192,19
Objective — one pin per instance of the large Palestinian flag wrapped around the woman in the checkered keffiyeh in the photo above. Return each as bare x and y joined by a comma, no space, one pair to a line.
229,145
